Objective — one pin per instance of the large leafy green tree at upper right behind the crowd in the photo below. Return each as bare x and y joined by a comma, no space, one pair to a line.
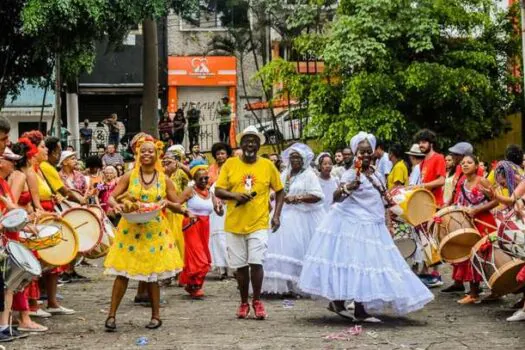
394,66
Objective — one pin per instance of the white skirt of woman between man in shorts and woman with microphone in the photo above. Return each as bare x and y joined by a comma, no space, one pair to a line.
287,247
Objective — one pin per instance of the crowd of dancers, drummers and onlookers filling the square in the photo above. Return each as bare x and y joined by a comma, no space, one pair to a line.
287,224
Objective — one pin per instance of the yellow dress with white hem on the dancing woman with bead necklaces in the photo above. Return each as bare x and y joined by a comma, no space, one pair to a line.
145,252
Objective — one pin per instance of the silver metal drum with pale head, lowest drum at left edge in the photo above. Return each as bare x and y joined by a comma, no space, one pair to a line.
20,267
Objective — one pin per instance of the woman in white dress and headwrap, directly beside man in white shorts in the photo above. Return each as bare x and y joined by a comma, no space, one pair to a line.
301,213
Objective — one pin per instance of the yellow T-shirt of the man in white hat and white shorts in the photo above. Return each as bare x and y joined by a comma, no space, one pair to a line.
260,177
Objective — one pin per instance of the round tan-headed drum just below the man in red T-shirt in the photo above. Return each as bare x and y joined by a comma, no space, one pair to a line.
415,206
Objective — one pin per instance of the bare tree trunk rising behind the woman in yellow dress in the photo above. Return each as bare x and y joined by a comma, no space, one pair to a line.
150,92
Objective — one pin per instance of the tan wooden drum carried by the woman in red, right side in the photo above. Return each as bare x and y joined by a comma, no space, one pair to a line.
456,234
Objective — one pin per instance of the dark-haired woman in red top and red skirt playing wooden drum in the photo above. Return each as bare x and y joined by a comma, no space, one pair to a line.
471,196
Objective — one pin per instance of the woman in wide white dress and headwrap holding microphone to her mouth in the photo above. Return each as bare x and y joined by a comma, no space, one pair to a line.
352,255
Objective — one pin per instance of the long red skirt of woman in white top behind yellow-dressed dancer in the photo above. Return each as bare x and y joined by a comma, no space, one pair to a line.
197,257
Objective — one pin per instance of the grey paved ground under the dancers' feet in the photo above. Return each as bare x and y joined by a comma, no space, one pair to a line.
210,324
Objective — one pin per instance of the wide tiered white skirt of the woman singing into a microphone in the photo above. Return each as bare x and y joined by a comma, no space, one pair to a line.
357,260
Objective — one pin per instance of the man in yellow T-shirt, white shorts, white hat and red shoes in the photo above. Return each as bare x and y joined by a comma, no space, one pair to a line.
245,183
